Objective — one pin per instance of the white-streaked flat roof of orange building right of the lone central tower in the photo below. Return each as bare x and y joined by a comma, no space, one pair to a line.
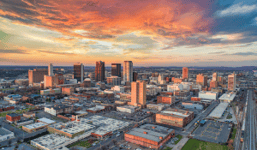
176,112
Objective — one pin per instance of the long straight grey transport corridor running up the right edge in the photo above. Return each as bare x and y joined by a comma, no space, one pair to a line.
250,131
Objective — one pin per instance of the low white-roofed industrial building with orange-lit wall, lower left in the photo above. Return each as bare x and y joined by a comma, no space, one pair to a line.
71,129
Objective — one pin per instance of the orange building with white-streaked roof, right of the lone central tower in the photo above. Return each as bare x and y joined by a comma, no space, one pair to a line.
175,117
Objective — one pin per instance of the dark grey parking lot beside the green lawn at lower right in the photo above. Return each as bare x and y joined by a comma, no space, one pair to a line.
214,132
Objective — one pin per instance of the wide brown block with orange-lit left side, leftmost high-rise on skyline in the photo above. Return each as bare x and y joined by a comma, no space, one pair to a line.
36,75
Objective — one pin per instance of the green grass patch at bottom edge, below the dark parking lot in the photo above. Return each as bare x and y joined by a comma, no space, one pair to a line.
193,144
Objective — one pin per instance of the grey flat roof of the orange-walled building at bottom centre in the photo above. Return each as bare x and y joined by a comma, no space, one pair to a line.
154,132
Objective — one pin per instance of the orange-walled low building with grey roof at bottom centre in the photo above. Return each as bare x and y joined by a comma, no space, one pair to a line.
149,135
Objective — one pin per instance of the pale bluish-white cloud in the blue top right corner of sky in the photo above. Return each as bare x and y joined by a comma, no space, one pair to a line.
237,9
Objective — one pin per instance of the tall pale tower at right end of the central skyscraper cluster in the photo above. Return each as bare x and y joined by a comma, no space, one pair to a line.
127,71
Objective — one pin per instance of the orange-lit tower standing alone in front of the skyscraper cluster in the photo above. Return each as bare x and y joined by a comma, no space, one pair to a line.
138,93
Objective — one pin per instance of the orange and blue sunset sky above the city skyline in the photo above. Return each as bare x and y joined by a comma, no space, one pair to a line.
147,32
